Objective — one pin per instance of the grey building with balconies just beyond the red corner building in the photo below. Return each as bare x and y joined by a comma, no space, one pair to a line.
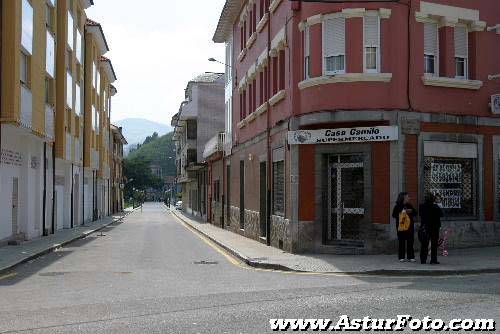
200,117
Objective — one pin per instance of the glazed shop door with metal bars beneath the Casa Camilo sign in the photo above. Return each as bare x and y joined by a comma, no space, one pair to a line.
346,207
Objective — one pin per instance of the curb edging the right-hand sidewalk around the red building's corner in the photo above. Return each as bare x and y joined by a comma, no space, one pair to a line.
274,266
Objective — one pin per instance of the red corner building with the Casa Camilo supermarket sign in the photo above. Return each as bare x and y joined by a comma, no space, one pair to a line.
338,107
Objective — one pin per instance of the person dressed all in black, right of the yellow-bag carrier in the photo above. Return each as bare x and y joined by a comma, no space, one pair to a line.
430,223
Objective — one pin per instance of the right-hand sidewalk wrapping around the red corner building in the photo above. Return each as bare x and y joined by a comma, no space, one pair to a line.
255,254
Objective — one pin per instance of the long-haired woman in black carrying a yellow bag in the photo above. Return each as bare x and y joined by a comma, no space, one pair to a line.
405,237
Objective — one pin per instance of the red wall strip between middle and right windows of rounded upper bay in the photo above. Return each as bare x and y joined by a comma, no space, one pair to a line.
354,45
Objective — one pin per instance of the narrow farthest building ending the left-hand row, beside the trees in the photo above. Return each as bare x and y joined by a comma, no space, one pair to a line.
116,164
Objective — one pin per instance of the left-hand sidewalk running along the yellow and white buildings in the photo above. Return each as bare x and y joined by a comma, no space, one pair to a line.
11,256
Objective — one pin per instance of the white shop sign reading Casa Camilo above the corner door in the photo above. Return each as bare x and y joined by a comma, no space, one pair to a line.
344,135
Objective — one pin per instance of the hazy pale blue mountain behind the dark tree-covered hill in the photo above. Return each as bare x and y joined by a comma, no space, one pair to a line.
136,130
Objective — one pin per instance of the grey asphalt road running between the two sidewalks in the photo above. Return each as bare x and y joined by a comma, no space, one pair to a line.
150,274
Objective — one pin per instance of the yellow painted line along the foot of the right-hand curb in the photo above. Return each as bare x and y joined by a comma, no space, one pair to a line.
238,263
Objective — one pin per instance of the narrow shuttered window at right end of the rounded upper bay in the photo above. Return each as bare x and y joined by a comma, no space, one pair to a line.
372,42
